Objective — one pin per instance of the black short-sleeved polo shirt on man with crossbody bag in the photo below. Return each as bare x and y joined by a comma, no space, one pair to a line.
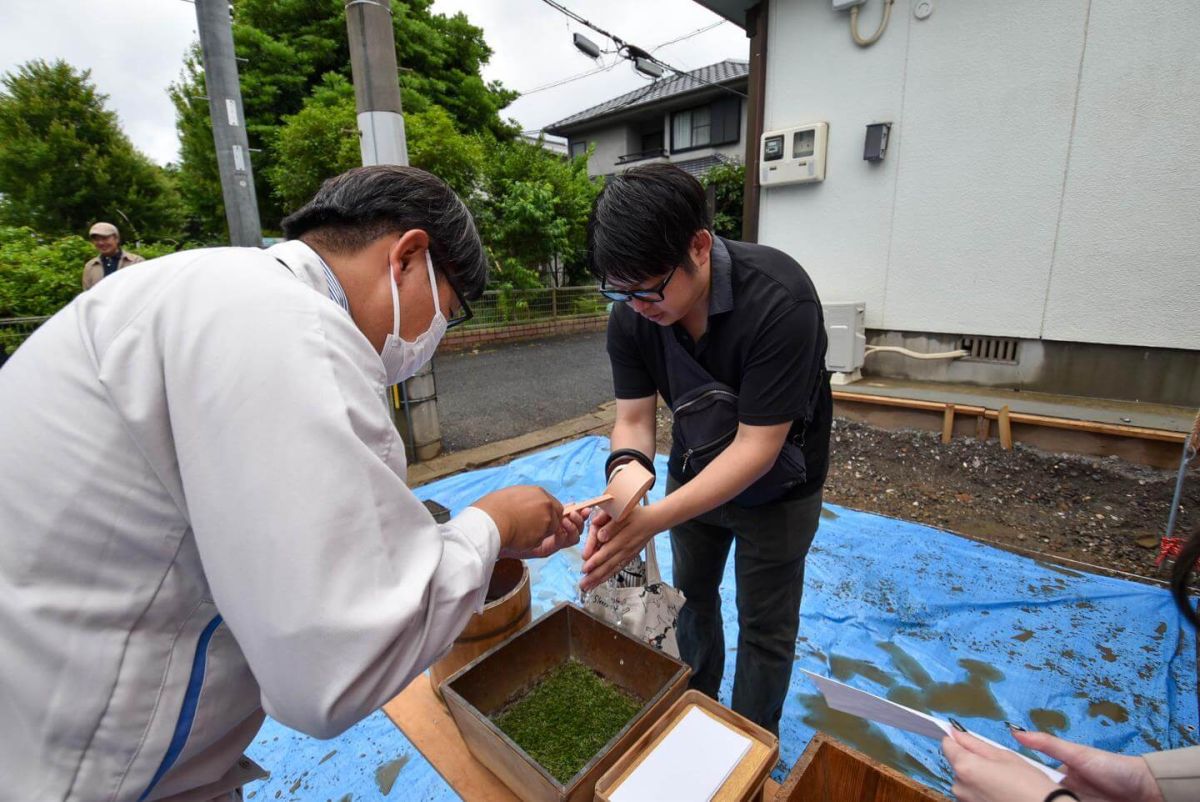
766,339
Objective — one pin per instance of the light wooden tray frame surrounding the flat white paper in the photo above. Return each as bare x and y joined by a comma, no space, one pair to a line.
745,785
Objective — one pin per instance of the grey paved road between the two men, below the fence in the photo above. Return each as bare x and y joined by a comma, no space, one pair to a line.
514,390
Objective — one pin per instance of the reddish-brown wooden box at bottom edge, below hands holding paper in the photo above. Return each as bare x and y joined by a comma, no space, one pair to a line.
831,771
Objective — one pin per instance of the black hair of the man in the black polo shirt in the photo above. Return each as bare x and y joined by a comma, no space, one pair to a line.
644,223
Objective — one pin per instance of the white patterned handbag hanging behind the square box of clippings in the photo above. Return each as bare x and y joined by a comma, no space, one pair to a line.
638,601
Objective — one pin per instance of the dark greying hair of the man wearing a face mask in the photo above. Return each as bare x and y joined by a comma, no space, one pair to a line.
355,210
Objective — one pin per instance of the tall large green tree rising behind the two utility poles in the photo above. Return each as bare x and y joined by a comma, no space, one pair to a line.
291,47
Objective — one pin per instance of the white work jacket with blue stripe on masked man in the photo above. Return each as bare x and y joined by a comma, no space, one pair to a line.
203,516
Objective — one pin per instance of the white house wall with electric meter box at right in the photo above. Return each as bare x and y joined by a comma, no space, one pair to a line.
1042,177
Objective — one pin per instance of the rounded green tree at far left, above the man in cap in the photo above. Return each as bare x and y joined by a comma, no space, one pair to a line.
65,161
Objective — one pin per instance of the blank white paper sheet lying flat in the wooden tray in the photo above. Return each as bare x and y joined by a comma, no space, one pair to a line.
689,765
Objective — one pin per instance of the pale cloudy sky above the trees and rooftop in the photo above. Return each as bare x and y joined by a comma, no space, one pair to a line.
135,49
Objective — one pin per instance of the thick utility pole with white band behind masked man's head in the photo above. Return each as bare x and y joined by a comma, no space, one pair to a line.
382,141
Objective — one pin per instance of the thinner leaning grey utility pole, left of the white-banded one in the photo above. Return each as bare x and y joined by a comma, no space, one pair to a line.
215,25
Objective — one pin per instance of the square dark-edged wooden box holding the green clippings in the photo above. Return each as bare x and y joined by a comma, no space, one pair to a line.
484,686
